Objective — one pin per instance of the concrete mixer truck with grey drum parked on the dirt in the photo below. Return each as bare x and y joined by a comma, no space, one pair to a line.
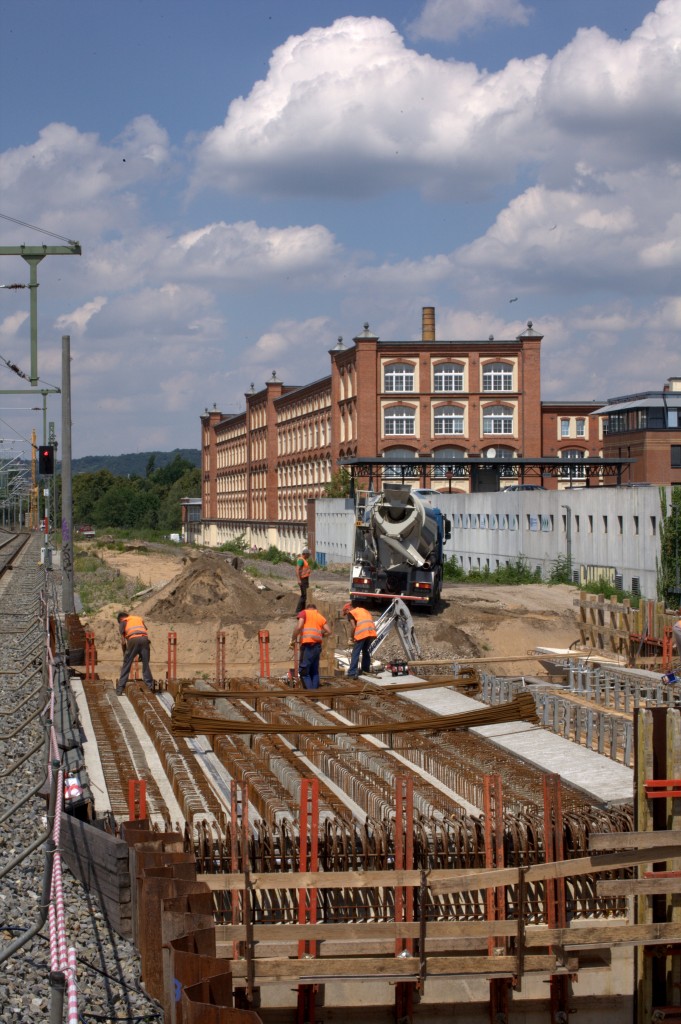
399,548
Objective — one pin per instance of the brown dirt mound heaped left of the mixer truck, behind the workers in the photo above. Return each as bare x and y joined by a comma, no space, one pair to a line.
210,588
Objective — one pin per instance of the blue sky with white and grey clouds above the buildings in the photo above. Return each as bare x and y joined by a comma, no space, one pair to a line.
251,182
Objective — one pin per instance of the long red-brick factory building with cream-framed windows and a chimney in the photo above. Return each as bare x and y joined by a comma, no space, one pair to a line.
447,401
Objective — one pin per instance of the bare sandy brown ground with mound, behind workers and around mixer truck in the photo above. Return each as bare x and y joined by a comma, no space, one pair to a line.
198,594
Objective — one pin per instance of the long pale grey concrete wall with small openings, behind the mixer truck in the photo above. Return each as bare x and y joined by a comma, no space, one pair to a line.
614,531
